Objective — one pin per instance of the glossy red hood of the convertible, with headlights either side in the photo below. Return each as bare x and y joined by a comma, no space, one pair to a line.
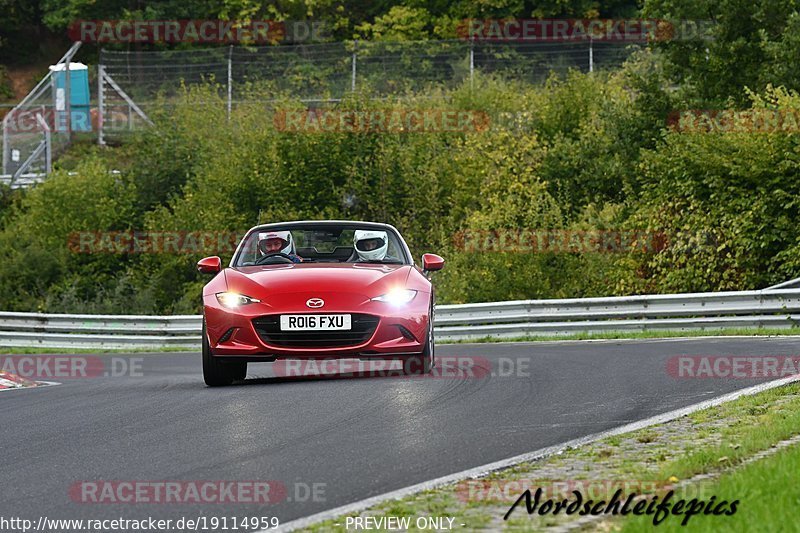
274,284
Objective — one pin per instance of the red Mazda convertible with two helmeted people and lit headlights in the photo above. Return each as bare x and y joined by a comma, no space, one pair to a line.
318,290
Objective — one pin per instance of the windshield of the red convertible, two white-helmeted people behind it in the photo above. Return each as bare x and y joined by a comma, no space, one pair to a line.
324,243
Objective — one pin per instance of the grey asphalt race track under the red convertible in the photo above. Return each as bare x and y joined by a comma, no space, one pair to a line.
330,442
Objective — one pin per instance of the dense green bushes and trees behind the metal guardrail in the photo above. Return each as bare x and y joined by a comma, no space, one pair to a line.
584,153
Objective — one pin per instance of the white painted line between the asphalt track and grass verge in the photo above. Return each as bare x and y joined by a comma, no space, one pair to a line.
483,470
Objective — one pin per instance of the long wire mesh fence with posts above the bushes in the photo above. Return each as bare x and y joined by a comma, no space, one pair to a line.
327,72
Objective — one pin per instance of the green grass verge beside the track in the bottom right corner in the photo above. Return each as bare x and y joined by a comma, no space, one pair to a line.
650,461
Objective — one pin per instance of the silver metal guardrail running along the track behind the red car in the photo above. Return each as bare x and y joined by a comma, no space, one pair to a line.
686,312
